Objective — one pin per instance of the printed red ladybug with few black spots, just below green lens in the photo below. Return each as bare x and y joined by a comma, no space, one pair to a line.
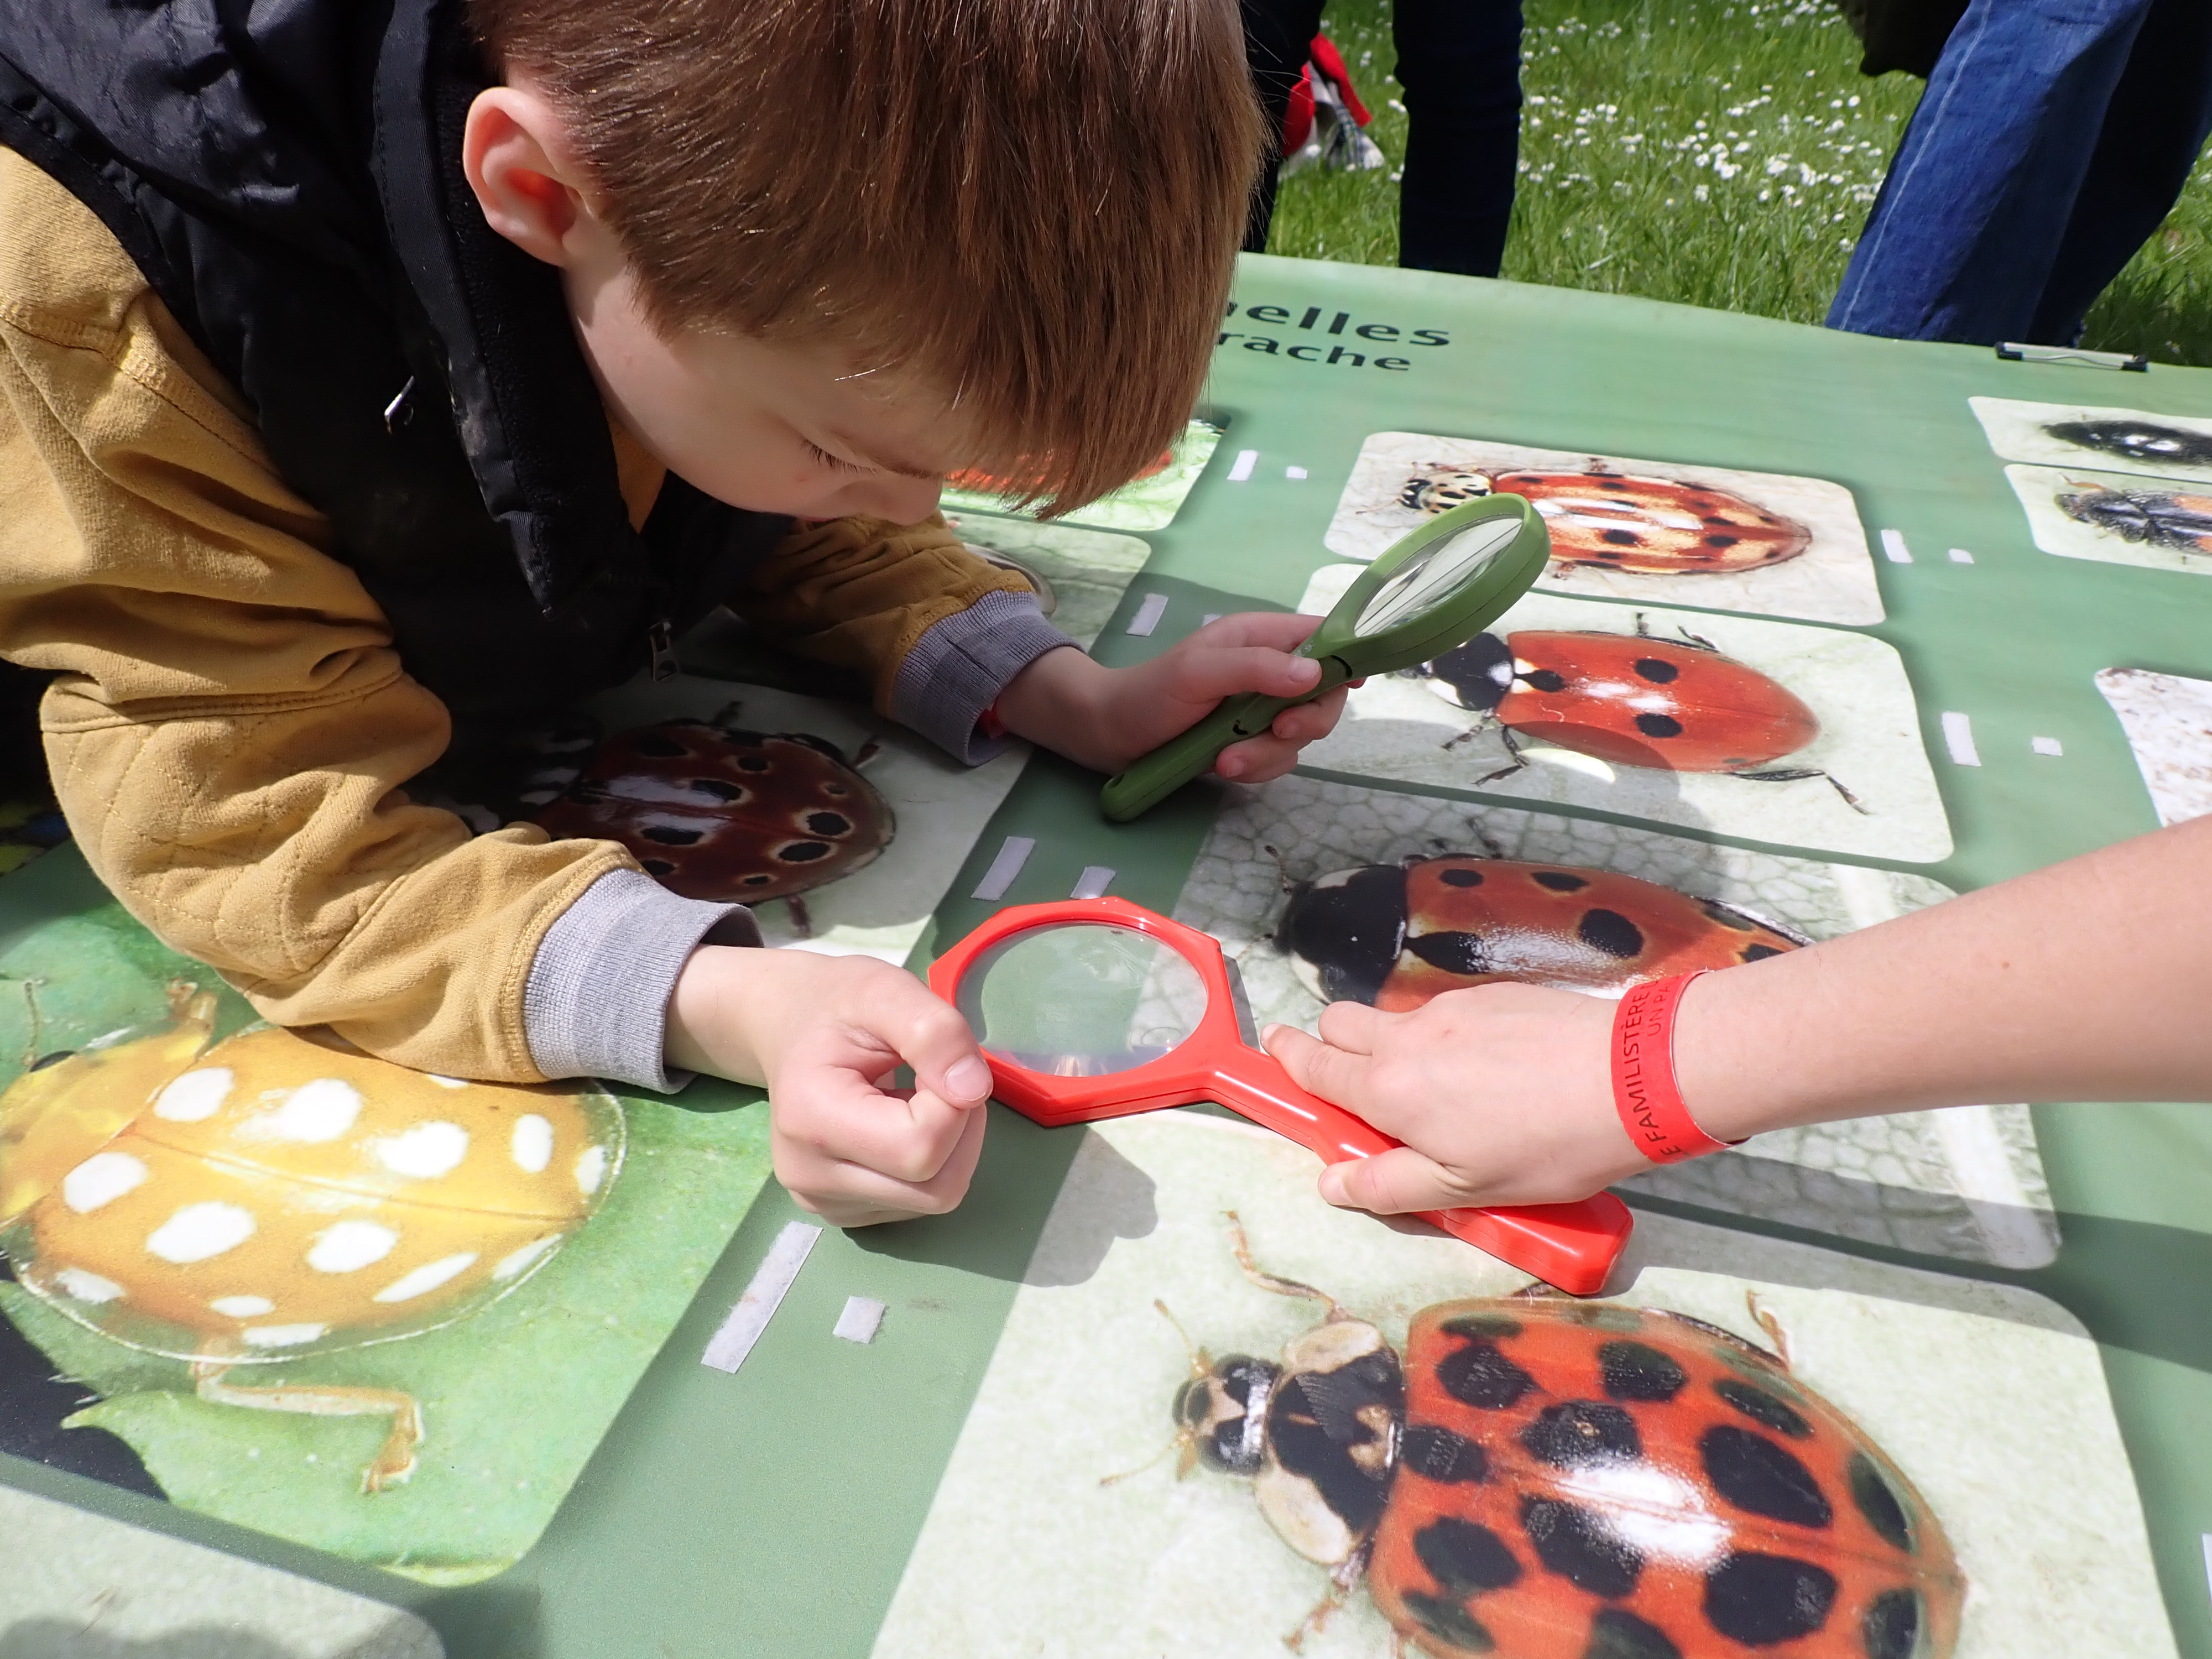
1631,700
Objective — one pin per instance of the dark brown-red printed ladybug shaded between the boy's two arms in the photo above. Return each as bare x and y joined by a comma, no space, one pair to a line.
729,815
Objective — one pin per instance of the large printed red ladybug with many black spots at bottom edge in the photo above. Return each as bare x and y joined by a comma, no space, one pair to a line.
1543,1479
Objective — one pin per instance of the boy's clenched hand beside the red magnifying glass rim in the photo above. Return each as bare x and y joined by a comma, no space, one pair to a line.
826,1034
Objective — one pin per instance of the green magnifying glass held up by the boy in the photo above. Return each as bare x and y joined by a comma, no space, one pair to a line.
1428,594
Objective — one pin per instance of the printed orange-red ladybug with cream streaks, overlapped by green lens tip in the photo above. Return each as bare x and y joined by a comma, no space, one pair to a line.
1625,523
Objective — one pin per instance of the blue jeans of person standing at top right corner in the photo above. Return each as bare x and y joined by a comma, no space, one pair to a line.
2047,149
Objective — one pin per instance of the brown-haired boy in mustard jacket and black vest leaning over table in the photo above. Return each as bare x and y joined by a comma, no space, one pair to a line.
353,384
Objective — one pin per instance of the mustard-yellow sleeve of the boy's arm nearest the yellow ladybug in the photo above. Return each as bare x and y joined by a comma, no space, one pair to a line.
231,724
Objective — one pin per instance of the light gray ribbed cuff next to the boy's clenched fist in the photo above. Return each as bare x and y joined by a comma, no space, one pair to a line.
596,1003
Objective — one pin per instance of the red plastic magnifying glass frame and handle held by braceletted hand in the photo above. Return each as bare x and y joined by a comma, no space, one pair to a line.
1572,1246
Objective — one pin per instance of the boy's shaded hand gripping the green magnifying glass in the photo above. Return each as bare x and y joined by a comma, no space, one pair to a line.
1107,718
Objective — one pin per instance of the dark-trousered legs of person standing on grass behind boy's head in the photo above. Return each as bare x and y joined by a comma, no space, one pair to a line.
1459,63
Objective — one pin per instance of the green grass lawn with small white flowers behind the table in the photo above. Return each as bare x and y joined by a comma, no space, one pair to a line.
1707,152
